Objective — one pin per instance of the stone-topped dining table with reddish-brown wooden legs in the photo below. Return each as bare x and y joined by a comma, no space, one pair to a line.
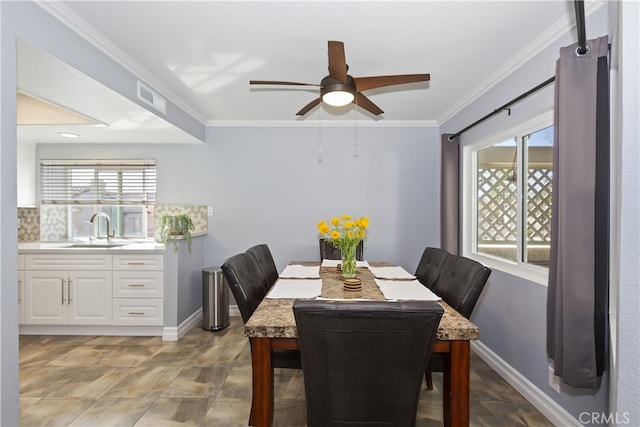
272,327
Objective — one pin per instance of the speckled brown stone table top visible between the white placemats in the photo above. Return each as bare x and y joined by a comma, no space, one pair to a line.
274,317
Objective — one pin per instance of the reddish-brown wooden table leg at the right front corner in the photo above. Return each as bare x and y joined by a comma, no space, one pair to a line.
455,385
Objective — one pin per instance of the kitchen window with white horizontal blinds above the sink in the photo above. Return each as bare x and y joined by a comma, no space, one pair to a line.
124,190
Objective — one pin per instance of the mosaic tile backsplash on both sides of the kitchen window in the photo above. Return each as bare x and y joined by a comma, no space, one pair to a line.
49,222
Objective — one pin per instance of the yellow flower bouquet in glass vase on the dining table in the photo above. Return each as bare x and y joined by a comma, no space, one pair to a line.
345,233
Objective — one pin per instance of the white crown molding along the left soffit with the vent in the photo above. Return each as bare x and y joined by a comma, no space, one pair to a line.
67,17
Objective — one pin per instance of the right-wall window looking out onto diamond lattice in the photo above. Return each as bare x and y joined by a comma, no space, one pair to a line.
508,202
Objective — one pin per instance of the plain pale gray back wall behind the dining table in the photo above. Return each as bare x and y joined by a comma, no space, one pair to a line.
268,186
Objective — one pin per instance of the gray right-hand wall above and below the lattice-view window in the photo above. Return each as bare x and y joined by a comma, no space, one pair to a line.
511,313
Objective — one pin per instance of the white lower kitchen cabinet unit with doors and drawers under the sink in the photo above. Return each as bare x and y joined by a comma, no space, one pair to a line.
80,291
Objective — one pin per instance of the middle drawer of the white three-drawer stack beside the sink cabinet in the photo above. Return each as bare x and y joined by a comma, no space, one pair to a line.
138,284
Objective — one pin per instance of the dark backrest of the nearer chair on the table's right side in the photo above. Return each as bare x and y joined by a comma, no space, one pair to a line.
461,282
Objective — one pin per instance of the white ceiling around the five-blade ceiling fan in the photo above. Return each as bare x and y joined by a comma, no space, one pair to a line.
202,54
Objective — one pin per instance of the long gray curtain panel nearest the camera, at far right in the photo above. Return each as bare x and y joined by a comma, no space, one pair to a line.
579,266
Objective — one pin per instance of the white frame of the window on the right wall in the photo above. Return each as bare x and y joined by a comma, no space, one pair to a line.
534,273
